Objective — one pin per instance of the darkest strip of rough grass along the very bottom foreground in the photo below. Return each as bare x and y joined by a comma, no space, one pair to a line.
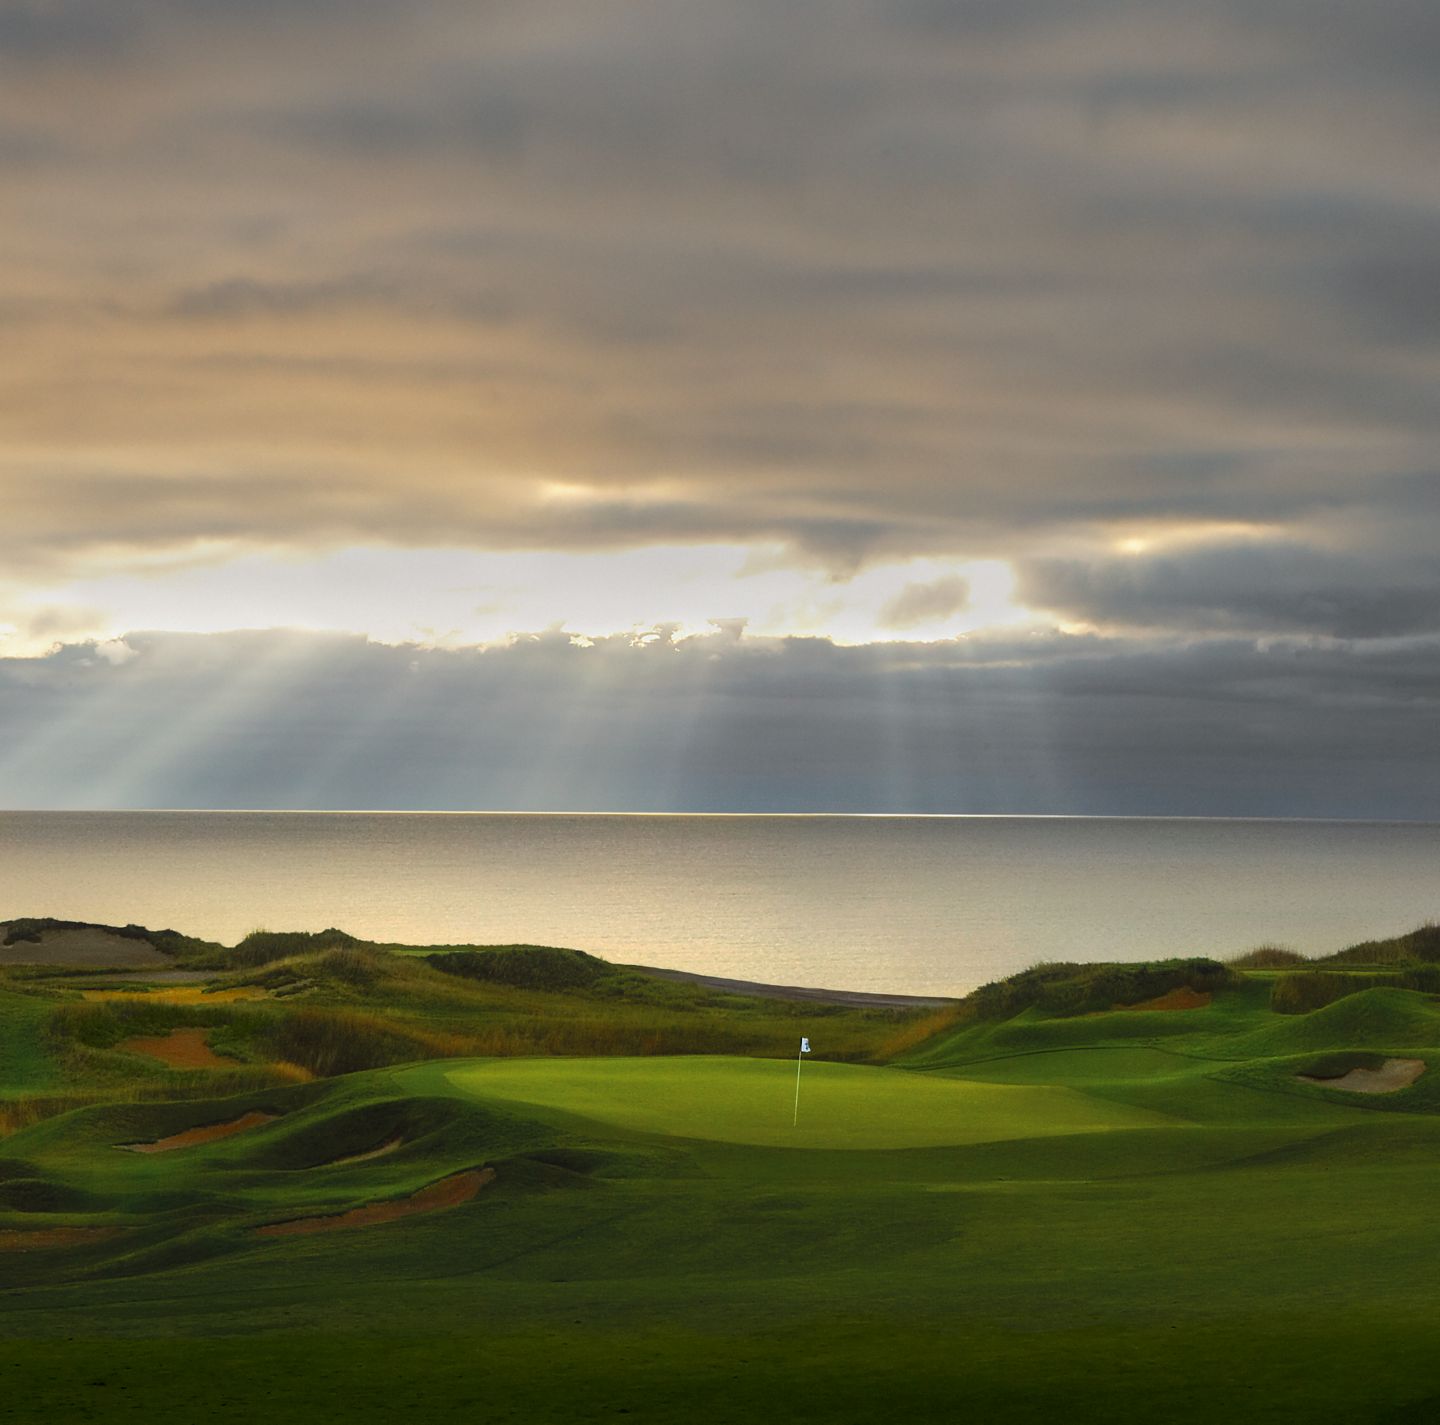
1242,1371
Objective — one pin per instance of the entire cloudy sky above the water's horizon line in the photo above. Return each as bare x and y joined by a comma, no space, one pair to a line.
953,407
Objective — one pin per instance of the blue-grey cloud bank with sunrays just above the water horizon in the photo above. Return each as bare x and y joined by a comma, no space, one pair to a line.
725,723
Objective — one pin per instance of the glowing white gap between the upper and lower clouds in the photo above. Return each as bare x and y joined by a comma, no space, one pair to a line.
454,597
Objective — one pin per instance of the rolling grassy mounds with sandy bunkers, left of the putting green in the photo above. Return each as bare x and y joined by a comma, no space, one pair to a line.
201,1197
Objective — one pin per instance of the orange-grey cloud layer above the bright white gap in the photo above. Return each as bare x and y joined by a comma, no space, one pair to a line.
999,279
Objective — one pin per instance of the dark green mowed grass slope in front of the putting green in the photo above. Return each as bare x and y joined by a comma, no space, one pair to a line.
604,1273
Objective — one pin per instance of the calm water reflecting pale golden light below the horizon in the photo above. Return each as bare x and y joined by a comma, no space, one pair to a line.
922,906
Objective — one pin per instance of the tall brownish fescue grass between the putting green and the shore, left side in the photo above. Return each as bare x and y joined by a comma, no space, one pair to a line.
346,1010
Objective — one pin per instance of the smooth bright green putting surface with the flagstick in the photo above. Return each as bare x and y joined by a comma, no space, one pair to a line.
752,1102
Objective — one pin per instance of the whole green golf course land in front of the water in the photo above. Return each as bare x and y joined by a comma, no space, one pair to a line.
1032,1207
